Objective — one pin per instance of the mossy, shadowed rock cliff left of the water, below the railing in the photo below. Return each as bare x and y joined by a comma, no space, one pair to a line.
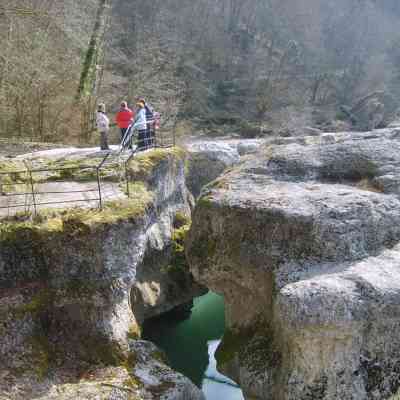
70,279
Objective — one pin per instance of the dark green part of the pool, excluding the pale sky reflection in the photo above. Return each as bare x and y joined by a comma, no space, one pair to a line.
186,342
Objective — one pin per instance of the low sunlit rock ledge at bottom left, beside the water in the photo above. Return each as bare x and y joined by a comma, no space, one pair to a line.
144,376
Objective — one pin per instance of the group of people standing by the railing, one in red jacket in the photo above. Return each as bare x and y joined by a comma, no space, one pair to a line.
141,120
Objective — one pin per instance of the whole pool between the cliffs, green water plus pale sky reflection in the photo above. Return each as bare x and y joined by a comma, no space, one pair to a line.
190,346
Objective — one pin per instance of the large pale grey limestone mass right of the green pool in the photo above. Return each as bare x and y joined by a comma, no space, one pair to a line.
302,241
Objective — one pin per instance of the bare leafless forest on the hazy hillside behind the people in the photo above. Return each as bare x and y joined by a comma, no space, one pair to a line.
214,67
